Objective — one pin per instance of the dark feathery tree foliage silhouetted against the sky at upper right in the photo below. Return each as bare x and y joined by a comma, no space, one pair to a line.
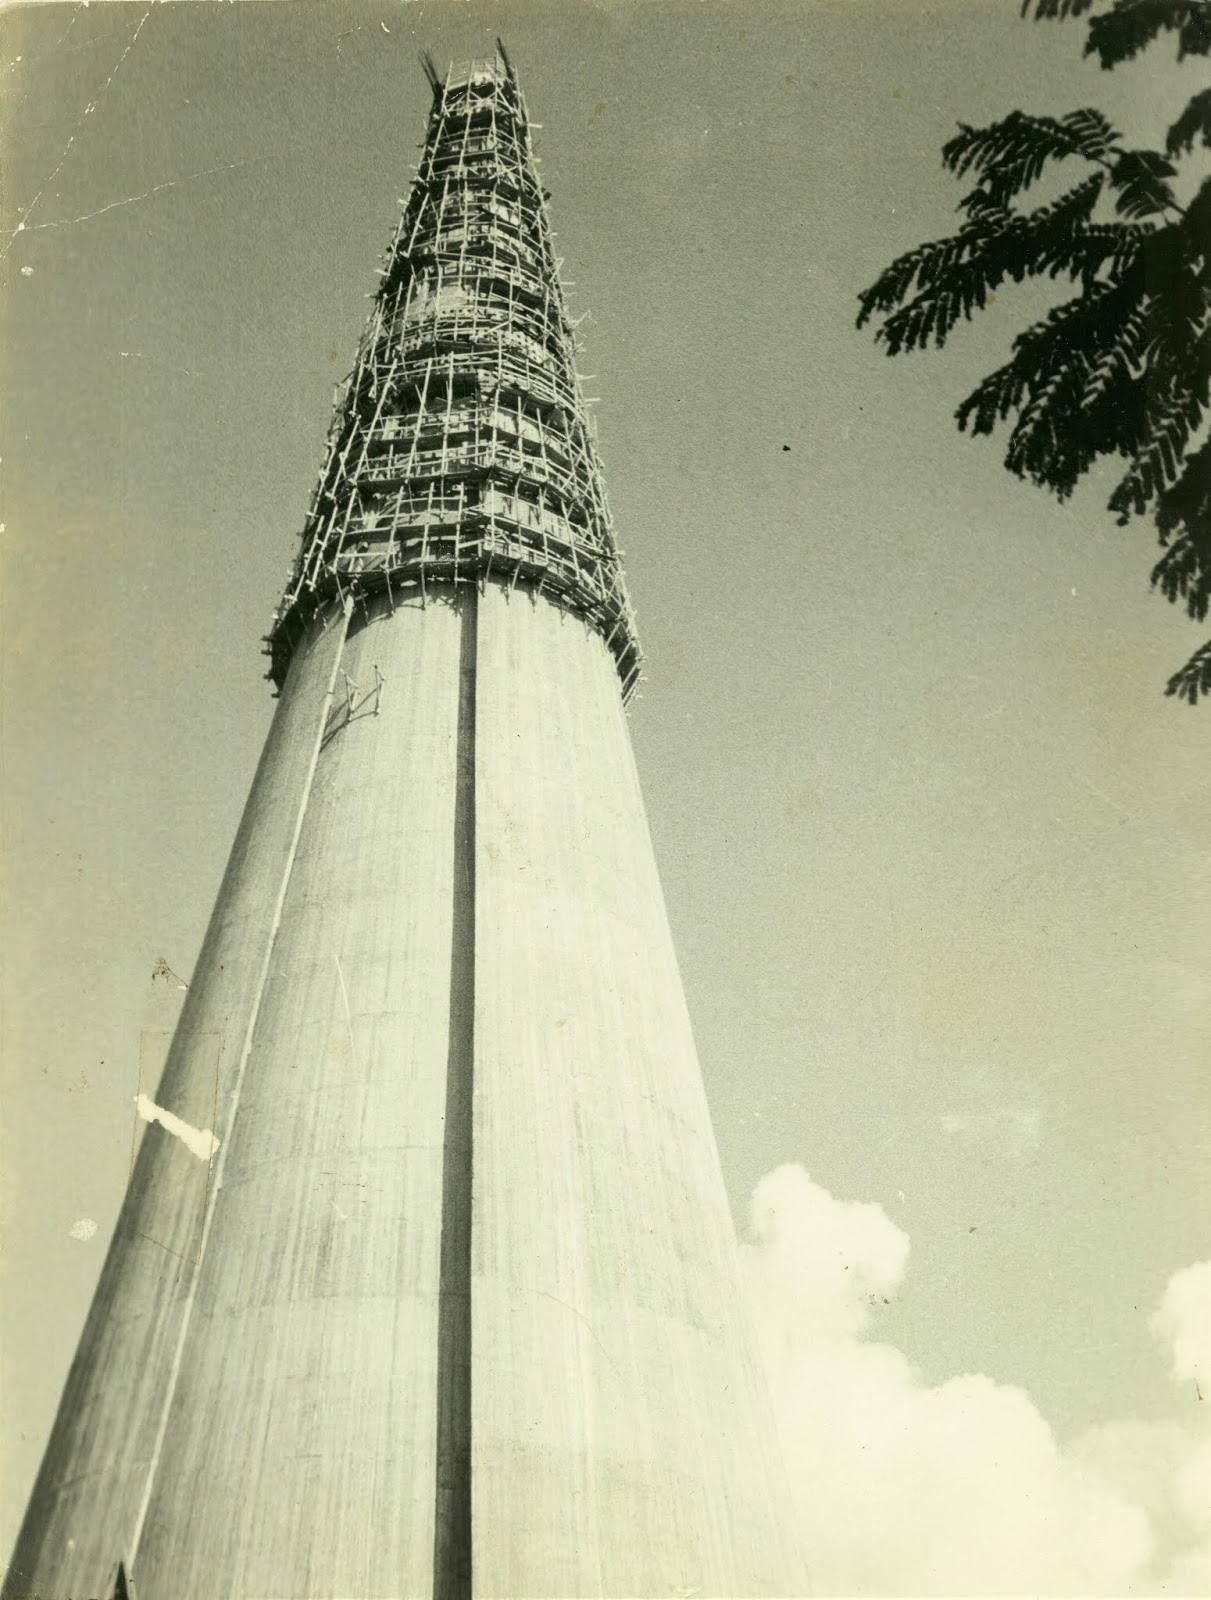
1124,367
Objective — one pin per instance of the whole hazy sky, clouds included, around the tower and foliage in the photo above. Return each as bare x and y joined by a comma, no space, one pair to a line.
933,841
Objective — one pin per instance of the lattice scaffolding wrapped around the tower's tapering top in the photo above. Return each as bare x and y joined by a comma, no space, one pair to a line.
462,447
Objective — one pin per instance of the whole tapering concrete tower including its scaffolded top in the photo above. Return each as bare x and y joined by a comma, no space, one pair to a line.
449,1306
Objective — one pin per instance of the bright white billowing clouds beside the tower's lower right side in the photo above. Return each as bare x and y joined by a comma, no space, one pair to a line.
956,1489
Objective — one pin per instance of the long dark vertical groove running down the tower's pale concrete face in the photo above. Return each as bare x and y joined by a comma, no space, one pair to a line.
452,1529
